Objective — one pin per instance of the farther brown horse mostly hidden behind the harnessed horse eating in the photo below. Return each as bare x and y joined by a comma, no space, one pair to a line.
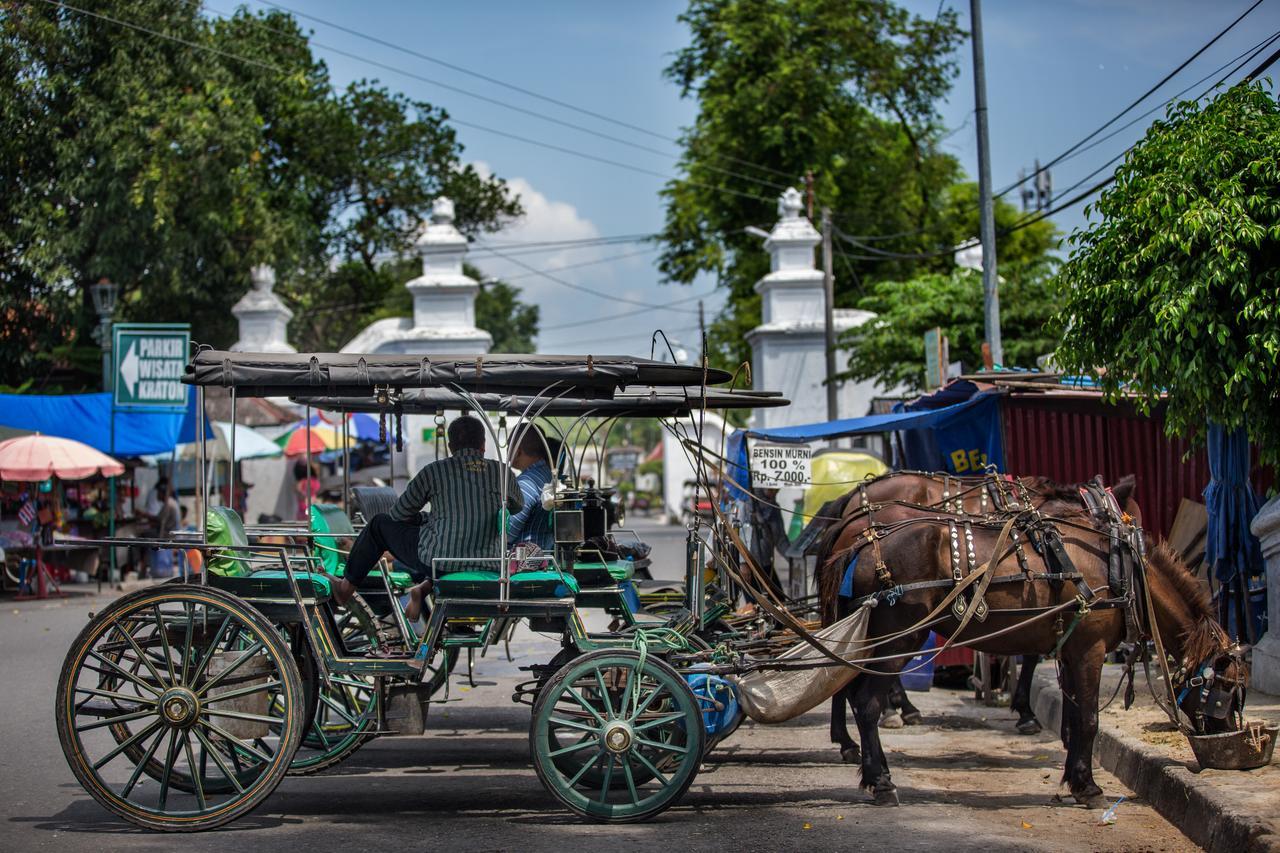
977,496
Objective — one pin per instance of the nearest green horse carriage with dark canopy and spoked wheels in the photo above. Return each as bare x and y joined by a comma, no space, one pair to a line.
182,706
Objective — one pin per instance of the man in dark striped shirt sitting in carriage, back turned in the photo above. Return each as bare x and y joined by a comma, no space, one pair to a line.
465,494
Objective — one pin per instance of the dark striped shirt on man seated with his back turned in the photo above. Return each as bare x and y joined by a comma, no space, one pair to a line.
465,495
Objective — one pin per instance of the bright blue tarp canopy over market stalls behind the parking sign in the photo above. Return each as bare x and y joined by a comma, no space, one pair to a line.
88,419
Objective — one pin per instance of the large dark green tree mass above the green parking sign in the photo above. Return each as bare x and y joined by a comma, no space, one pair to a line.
173,170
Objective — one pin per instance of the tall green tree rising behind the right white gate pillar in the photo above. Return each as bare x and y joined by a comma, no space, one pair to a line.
847,90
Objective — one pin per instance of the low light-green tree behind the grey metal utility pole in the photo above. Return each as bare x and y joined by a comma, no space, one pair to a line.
892,348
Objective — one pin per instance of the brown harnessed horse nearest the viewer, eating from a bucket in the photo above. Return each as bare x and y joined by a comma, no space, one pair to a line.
916,549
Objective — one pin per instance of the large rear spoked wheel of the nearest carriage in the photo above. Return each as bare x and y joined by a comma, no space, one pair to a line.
166,714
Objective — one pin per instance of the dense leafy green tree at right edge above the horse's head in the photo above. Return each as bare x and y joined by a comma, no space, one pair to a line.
1177,286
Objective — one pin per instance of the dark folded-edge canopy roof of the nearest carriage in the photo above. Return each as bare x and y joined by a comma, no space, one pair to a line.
263,375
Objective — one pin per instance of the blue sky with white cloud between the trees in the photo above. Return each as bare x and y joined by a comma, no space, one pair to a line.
1055,72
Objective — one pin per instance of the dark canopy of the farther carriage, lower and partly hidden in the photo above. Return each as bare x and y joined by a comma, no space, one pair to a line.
630,403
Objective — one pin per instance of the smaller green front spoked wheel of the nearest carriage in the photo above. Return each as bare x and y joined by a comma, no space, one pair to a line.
615,738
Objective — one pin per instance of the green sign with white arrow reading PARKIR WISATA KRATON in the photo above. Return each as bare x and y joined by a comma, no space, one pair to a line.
149,361
